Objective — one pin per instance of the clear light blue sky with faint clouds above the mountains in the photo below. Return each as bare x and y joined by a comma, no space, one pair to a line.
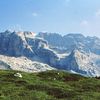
60,16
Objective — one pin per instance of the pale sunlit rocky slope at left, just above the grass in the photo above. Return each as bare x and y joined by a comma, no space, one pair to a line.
22,64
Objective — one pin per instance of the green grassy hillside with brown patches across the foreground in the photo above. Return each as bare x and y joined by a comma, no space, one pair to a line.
50,85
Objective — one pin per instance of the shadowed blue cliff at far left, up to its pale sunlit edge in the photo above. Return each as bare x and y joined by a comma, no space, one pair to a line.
15,44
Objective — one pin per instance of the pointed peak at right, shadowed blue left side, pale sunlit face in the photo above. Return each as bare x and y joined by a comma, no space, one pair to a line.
81,62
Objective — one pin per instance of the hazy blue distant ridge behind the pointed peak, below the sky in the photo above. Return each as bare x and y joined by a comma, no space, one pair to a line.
69,42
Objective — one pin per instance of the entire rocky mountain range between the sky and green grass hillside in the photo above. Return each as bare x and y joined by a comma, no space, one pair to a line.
30,52
